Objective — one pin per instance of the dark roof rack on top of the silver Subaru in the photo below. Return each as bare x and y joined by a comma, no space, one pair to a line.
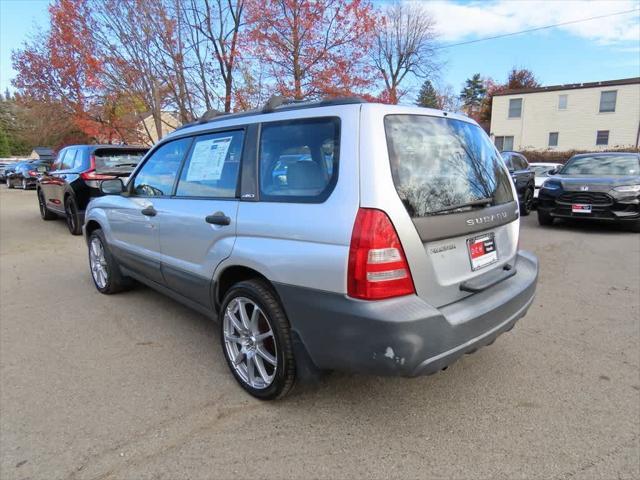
275,103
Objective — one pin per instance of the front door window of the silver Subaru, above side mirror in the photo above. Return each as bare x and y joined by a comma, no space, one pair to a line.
158,174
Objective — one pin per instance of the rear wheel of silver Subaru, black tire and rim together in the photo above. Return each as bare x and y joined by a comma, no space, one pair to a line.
256,340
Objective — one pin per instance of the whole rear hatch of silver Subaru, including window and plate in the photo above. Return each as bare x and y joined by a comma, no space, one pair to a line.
456,190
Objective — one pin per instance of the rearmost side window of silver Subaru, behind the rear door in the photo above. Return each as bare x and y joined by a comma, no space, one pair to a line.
299,159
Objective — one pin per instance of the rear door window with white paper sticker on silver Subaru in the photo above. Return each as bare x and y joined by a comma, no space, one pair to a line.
212,167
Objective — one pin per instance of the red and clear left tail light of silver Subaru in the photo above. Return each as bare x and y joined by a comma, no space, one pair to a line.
378,267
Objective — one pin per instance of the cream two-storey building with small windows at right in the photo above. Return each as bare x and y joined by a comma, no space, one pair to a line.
581,116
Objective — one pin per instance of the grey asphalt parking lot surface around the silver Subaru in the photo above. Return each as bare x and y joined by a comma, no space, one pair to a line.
135,386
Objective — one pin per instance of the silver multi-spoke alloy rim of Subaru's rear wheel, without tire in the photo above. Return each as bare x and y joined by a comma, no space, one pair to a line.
250,343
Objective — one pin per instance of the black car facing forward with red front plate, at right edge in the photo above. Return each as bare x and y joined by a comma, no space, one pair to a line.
595,186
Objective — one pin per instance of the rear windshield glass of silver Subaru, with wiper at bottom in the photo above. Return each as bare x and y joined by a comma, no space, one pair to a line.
443,165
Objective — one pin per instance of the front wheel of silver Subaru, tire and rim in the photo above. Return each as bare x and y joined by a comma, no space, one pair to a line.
105,270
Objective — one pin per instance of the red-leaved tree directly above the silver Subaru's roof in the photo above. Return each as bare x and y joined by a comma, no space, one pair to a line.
313,48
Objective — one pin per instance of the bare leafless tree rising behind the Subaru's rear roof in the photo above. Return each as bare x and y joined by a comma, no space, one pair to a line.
404,45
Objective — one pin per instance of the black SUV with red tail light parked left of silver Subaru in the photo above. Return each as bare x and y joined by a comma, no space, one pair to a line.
75,178
